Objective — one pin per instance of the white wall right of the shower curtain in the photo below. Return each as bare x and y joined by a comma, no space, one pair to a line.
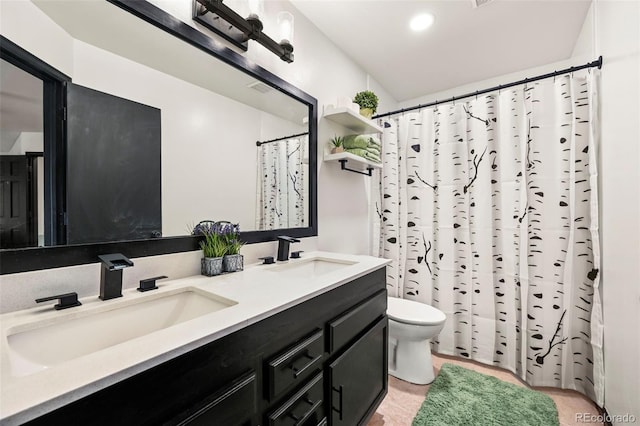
617,29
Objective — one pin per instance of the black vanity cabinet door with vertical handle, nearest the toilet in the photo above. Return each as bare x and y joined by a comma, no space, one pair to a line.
358,378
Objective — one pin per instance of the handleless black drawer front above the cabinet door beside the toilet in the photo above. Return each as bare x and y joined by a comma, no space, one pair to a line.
348,325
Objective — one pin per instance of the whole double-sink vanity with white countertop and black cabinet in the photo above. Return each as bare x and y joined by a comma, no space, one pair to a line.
296,343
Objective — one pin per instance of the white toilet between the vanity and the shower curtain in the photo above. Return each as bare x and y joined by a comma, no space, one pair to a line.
411,325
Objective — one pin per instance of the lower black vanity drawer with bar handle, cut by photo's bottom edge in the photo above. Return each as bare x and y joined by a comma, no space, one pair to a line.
305,408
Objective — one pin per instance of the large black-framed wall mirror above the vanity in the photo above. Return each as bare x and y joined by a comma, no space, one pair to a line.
220,139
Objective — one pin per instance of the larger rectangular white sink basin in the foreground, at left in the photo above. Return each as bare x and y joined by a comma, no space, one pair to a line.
35,347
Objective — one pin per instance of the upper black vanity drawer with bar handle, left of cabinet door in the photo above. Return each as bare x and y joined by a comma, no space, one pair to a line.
295,364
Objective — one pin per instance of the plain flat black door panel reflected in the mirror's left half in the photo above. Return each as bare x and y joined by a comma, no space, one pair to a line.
113,168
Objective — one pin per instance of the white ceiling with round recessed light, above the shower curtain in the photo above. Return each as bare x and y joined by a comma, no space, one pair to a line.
464,45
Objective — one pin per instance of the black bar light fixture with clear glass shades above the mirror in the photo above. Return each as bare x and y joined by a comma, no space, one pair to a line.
222,20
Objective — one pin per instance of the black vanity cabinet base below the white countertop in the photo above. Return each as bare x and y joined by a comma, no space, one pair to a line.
321,362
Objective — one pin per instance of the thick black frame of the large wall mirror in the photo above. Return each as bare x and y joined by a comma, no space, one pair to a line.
37,258
